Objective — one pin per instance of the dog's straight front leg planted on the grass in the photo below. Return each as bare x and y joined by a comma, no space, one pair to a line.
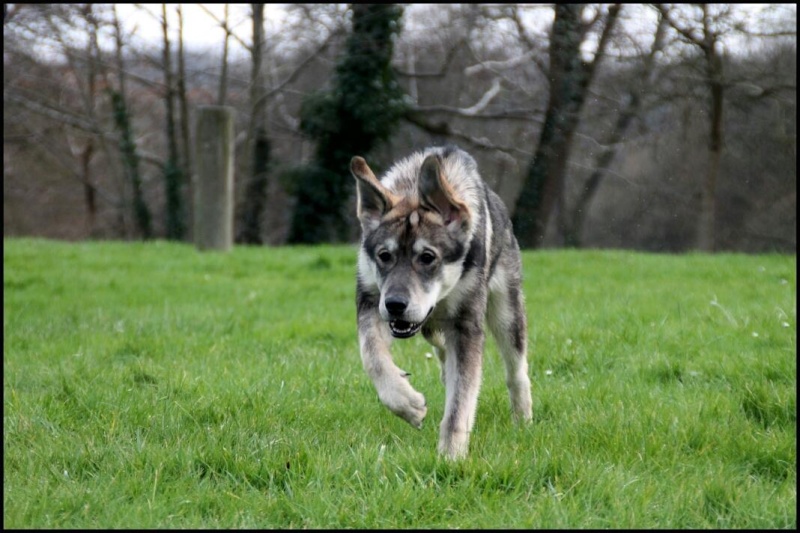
463,365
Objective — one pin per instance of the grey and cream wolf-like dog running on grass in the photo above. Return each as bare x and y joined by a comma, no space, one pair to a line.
438,256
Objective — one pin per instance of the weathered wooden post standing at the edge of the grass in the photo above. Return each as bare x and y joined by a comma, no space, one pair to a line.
213,179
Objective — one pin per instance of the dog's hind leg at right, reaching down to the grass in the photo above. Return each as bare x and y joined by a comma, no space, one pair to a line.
507,322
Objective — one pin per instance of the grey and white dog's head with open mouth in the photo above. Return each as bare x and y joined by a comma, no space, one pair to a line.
413,242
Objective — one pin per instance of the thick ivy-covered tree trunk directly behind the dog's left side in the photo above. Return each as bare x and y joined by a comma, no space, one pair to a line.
361,110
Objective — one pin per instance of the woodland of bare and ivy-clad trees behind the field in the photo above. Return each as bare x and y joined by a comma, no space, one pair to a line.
655,127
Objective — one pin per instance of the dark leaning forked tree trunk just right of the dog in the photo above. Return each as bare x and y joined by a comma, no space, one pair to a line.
570,77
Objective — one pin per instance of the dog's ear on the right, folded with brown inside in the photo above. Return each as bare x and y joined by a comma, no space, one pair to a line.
437,194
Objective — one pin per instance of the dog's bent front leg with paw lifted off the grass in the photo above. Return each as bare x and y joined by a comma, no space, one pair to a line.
392,384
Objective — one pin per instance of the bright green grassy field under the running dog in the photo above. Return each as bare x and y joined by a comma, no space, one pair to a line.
152,386
